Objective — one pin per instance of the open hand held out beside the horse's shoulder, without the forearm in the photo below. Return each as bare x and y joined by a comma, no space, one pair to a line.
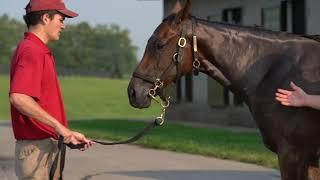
297,97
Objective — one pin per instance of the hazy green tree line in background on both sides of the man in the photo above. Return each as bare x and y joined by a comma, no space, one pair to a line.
82,49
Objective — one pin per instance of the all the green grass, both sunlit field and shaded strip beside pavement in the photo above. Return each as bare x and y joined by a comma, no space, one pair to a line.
99,108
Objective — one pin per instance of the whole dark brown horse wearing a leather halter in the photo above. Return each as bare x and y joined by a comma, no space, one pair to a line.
252,63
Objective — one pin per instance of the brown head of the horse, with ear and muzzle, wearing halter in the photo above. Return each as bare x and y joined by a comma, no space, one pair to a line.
155,71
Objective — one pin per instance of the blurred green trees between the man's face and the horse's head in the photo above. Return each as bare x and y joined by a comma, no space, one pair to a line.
102,49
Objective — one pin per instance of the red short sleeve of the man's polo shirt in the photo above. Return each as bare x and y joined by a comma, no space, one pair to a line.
27,73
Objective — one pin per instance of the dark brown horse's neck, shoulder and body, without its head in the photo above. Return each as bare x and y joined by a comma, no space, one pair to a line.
256,63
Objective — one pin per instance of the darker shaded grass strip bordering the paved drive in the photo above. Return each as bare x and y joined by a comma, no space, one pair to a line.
224,144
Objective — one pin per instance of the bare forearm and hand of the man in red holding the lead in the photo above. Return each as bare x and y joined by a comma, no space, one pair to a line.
29,107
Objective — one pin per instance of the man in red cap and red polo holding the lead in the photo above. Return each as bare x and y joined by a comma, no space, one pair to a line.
37,109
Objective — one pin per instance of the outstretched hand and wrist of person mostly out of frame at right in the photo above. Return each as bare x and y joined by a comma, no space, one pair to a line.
297,97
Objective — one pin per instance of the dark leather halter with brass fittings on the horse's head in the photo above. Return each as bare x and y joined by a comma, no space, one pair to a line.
176,60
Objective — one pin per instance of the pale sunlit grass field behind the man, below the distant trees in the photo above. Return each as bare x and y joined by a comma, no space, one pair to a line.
94,98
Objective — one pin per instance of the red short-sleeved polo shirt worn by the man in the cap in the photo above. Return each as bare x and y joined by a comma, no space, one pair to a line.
33,73
